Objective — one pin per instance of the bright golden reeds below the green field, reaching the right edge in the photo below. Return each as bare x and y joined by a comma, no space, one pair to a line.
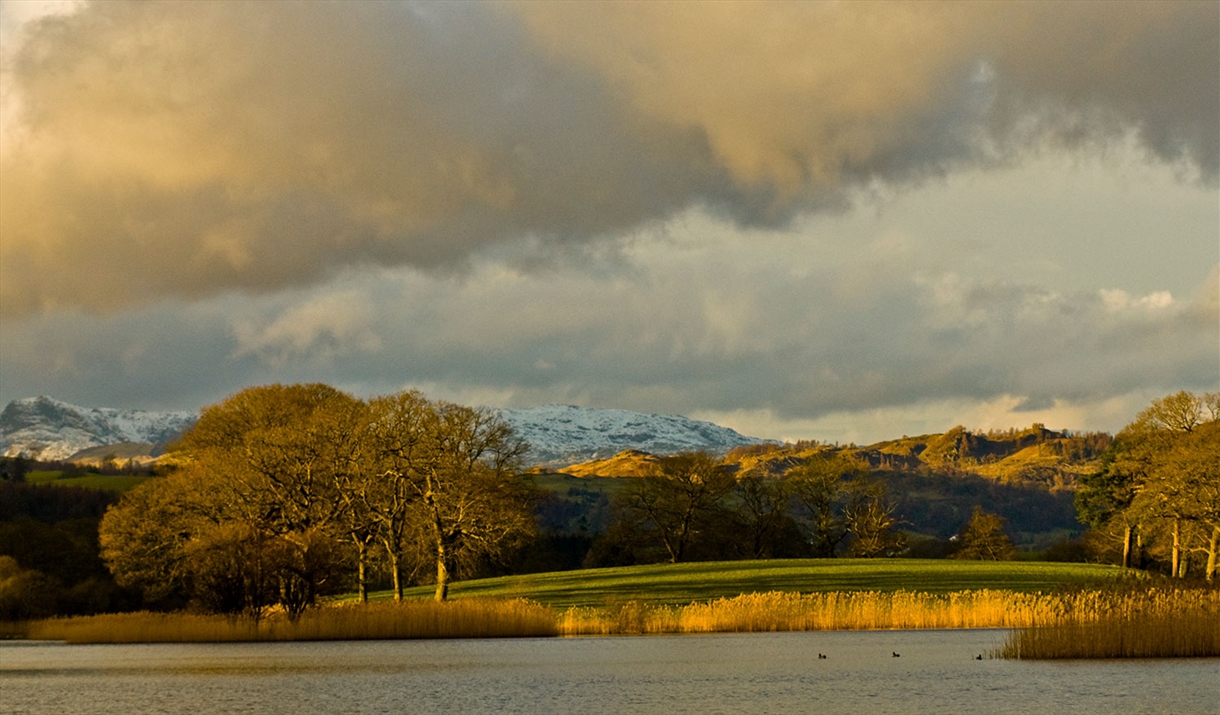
1150,623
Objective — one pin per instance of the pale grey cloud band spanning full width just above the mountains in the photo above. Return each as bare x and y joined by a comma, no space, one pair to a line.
773,332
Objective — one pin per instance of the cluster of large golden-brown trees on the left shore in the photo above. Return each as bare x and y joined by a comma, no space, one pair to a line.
281,492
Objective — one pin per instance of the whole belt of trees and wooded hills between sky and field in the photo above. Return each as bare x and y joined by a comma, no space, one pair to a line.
285,495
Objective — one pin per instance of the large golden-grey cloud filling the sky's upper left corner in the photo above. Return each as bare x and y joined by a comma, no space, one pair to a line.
320,137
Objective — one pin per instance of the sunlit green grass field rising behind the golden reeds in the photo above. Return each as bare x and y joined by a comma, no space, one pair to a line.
685,584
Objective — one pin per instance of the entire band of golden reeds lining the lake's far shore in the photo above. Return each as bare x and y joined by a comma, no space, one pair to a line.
1089,624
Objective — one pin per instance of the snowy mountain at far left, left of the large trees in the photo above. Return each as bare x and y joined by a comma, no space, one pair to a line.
47,429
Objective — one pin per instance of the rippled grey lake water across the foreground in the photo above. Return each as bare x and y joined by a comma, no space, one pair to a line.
936,672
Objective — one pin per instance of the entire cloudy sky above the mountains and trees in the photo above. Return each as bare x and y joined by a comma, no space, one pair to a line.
836,221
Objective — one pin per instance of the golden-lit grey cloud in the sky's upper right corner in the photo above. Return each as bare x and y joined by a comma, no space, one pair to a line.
795,98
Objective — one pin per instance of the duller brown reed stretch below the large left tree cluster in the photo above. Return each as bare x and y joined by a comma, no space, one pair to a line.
463,619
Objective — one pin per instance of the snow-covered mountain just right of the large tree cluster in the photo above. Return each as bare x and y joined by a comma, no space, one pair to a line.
564,435
